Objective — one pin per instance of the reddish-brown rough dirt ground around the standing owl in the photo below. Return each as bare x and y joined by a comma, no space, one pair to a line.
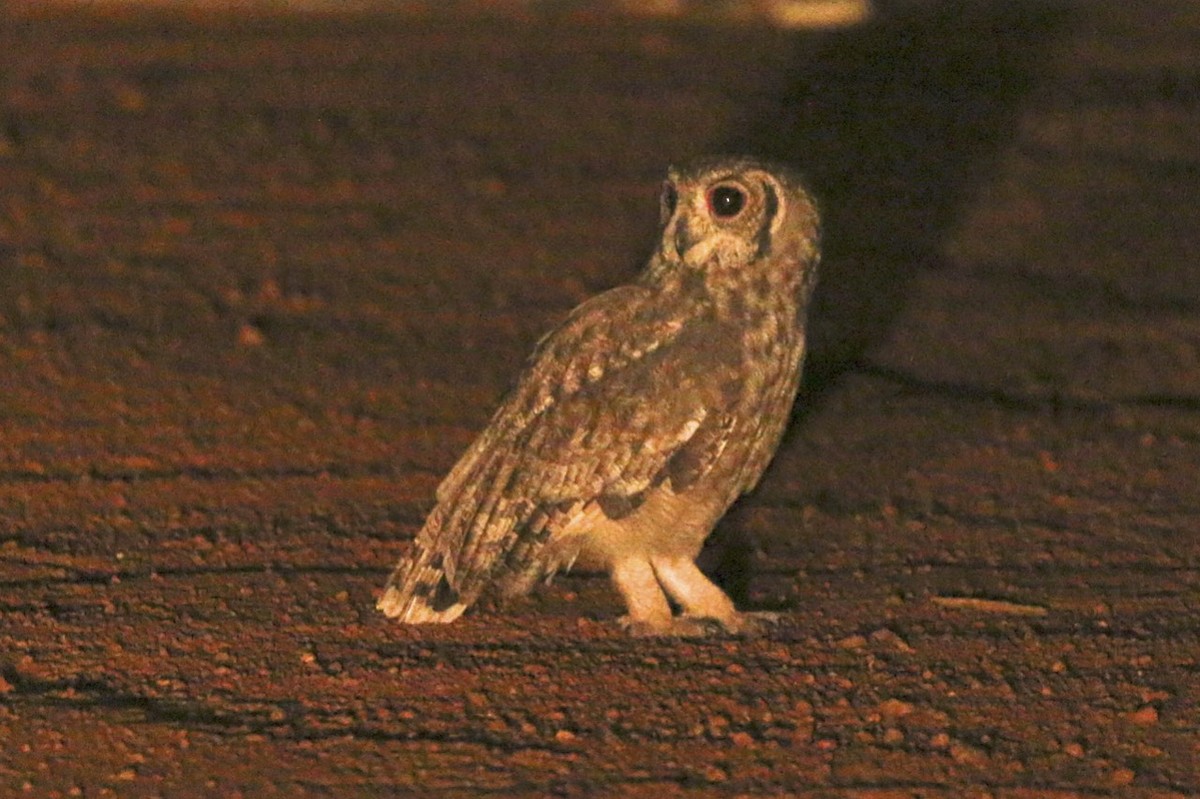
263,278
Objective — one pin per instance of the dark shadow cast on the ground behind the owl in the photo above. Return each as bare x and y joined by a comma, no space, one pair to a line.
895,124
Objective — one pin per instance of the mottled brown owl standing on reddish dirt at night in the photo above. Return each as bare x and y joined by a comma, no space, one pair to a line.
640,419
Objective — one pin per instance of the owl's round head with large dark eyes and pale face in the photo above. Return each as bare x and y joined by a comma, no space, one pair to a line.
725,213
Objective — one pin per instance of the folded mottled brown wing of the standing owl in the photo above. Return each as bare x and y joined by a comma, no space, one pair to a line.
620,399
